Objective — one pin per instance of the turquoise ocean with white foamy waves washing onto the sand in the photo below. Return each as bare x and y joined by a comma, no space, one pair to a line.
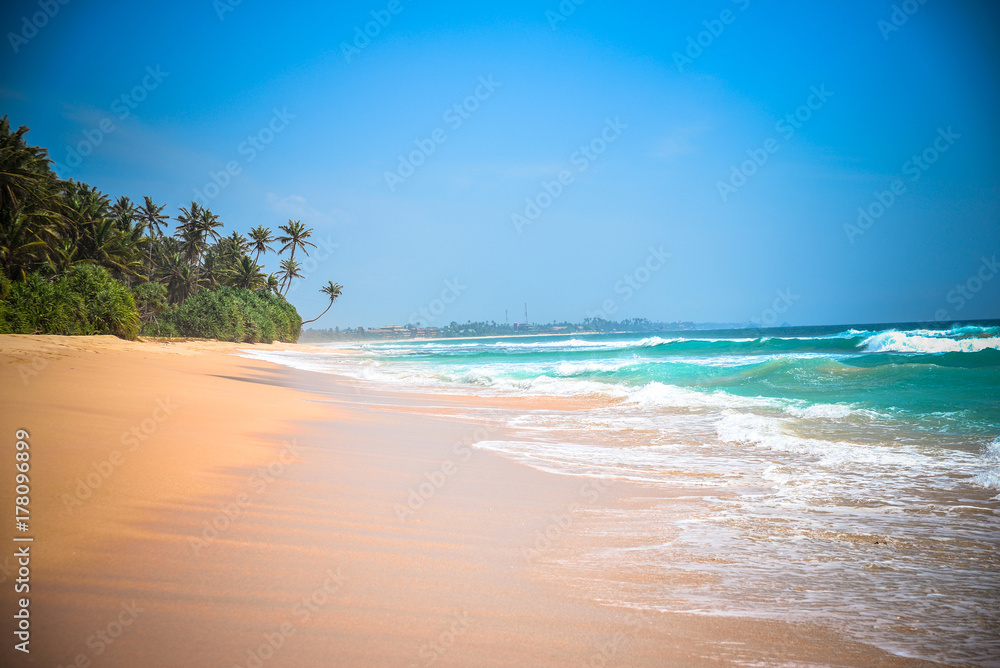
851,474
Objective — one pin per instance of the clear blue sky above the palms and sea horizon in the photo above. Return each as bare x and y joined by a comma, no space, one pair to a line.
826,162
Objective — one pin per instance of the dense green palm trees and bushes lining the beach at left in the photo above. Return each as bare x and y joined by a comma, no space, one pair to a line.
73,262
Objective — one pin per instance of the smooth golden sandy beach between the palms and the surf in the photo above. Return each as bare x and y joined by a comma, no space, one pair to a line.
190,507
